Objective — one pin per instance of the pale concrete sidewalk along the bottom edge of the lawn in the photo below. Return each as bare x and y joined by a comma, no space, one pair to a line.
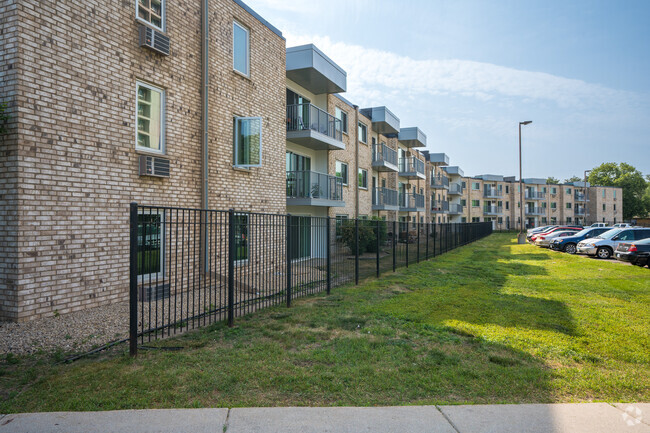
524,418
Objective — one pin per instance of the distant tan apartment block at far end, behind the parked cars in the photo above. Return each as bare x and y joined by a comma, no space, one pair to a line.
498,199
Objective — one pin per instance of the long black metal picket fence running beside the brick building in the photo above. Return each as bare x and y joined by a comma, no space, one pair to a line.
191,267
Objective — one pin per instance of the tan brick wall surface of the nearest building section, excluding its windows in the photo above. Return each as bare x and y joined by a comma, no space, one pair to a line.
77,159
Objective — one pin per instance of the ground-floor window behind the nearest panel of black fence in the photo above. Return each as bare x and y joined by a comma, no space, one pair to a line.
150,244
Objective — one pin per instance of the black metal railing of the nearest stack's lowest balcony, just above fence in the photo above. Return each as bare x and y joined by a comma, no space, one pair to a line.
310,184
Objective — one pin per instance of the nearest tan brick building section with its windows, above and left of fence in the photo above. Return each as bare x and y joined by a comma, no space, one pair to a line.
106,105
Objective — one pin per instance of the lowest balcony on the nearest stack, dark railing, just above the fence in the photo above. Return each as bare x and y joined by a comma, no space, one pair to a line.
309,188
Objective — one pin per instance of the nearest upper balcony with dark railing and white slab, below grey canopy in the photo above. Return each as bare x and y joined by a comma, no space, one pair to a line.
313,127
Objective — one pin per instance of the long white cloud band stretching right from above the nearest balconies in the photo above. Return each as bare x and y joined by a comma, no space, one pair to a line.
370,69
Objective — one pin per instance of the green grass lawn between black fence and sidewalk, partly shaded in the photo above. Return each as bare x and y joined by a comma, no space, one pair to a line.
492,322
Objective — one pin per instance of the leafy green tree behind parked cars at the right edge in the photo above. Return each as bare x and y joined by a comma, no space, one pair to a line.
628,178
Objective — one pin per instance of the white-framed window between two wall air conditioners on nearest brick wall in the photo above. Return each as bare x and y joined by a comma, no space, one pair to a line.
150,130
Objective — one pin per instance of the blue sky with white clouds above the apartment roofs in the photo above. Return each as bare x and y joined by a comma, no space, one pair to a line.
468,71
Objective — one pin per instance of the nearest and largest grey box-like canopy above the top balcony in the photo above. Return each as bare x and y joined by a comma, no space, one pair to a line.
310,68
